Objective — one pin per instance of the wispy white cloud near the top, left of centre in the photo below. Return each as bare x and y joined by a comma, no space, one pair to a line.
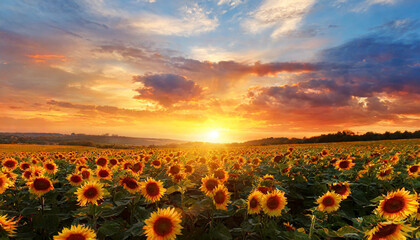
194,20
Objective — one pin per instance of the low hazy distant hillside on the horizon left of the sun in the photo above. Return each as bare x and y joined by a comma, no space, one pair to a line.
82,139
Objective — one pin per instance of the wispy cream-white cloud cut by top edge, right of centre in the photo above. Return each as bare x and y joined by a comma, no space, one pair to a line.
281,17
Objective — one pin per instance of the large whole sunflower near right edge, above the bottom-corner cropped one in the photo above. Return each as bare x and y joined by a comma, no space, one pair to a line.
398,205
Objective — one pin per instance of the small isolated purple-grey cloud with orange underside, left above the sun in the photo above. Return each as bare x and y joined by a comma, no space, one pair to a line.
167,89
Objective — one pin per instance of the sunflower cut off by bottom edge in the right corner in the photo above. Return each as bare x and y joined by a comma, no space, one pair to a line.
389,231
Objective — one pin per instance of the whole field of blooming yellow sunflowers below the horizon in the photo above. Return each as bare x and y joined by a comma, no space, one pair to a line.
360,190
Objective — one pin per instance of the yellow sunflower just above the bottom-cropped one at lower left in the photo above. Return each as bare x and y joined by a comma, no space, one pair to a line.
90,192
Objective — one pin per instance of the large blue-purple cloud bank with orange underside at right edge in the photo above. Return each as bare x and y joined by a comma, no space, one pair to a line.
362,82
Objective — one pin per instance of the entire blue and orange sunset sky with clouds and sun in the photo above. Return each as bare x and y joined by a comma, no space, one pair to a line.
210,70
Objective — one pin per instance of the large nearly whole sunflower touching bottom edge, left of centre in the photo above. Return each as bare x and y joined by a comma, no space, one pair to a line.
163,224
